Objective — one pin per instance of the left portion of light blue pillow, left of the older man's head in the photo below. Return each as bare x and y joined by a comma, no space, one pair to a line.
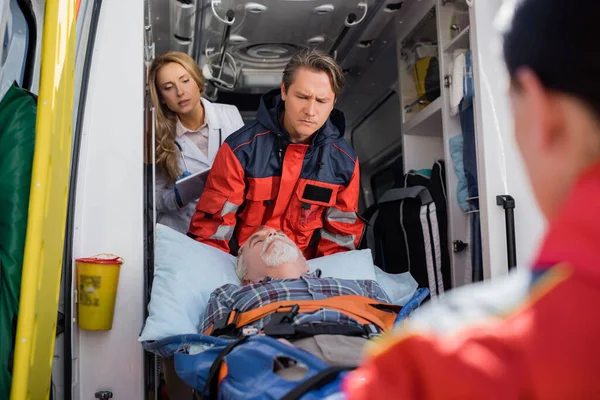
185,274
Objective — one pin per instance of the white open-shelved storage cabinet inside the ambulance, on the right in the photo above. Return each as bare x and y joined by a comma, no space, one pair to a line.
428,128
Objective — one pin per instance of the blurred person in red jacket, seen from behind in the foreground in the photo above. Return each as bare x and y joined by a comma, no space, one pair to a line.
535,334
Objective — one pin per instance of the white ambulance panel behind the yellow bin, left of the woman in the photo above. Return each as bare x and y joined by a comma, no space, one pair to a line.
109,201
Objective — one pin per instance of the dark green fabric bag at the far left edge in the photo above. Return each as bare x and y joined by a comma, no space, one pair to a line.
17,137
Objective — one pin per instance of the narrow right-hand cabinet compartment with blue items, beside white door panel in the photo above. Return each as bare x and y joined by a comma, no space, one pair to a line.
463,219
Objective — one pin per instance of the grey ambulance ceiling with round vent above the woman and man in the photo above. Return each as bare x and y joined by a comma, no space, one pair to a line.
266,33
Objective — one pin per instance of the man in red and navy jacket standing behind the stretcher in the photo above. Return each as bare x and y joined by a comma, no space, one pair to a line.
291,169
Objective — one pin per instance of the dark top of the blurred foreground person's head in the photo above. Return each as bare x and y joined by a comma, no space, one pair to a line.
556,40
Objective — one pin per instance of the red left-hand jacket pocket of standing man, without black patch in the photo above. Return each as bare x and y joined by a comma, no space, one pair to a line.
260,200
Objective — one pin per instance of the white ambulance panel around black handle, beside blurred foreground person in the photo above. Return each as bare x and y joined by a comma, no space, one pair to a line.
501,170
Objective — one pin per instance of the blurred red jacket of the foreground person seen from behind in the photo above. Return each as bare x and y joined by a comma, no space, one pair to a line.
532,335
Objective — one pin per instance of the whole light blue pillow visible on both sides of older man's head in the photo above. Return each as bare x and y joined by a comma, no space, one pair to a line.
186,272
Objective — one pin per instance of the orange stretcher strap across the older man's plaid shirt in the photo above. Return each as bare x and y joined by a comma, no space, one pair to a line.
362,309
